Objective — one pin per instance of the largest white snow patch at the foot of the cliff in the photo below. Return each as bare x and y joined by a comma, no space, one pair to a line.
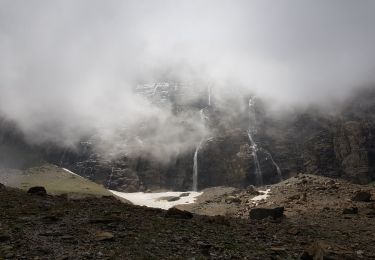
158,199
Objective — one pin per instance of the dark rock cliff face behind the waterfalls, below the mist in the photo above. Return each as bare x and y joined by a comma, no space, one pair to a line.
311,141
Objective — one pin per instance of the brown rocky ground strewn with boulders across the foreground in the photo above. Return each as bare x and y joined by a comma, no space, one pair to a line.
322,218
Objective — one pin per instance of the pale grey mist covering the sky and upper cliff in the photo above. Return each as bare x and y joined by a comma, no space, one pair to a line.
69,69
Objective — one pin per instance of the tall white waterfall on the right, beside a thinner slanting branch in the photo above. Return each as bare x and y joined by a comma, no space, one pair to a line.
250,131
